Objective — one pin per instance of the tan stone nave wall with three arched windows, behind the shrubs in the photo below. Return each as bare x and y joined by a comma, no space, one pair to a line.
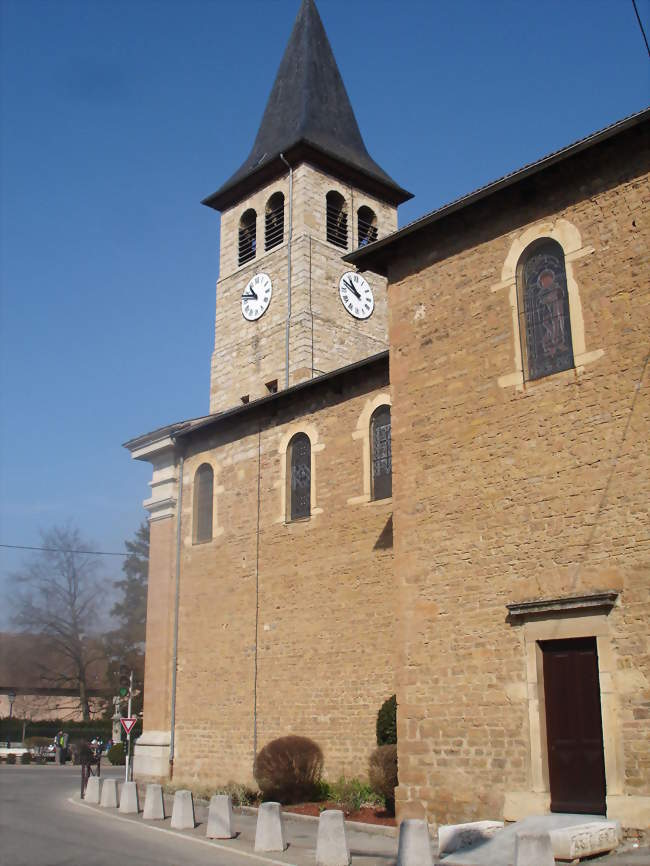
323,590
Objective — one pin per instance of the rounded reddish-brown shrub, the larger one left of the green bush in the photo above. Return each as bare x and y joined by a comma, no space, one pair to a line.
289,769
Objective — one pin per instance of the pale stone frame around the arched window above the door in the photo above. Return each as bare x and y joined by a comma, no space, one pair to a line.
567,235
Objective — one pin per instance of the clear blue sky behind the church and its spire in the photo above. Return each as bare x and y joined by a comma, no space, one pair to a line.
118,117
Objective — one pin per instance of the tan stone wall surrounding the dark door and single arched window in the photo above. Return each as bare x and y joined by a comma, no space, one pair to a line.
504,494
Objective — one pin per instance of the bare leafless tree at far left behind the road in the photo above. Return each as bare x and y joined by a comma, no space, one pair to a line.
58,600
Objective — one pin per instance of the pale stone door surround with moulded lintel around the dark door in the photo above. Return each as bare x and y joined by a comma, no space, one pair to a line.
561,619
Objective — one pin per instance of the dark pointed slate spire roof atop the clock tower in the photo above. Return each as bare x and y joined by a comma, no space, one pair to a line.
308,117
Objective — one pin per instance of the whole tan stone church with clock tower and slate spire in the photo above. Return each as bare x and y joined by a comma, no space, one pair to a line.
428,477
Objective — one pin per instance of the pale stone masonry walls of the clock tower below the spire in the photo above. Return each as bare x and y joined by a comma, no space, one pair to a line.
323,335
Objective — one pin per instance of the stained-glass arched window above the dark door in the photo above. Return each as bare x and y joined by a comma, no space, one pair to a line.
543,307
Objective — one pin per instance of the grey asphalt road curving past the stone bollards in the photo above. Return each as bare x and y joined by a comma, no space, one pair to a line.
40,827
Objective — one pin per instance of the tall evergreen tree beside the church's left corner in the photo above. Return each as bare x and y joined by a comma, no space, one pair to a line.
126,643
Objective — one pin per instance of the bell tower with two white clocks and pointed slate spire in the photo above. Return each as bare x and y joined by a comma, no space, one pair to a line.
288,307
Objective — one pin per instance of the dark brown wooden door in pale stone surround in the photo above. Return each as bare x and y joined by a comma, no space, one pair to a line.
573,726
